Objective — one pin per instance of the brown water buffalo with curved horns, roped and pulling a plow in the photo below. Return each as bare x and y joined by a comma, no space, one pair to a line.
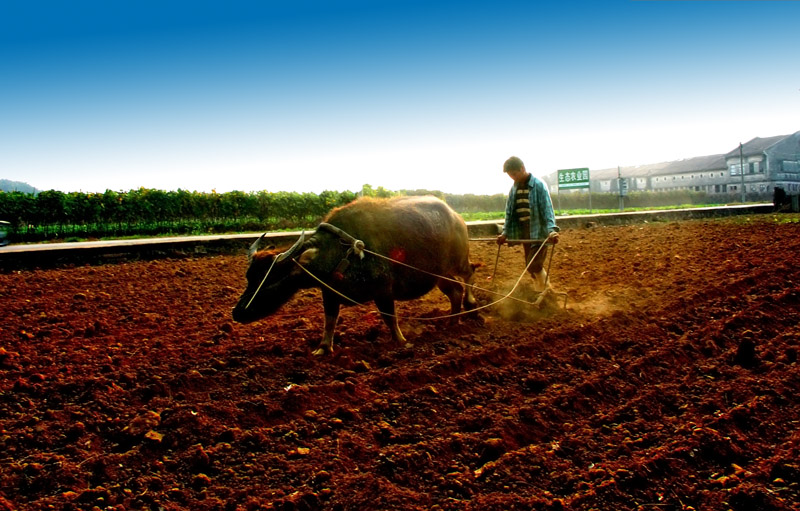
421,232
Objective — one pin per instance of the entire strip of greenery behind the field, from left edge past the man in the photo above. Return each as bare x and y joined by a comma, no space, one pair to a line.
52,214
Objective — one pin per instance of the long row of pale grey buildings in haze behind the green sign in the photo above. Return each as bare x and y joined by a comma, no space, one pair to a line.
767,162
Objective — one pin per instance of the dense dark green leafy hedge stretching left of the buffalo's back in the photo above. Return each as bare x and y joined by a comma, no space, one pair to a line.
53,214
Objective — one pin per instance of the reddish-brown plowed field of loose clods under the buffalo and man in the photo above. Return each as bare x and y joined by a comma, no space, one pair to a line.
670,381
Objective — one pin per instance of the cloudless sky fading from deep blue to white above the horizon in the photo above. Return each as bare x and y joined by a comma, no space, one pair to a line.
311,96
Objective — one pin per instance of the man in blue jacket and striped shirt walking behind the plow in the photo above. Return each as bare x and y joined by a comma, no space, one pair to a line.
529,215
